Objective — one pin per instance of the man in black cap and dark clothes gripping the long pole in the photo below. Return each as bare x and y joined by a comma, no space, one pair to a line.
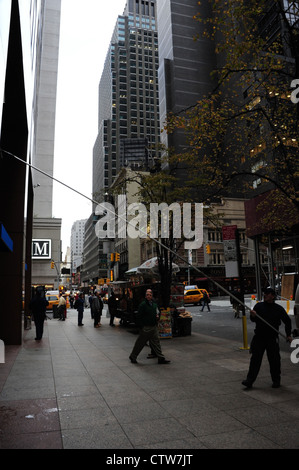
266,337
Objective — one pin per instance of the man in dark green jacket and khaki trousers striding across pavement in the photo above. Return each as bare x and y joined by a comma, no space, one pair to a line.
147,319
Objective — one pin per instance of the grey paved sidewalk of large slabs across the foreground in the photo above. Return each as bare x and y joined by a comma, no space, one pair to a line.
77,389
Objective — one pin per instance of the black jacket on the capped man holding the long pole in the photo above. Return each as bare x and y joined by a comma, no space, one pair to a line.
273,314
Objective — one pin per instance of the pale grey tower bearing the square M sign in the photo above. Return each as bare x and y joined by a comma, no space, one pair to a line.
45,227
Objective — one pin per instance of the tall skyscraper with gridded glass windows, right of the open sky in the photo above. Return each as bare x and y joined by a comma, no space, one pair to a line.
128,127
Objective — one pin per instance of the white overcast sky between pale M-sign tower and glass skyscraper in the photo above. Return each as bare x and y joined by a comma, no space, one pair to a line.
85,34
